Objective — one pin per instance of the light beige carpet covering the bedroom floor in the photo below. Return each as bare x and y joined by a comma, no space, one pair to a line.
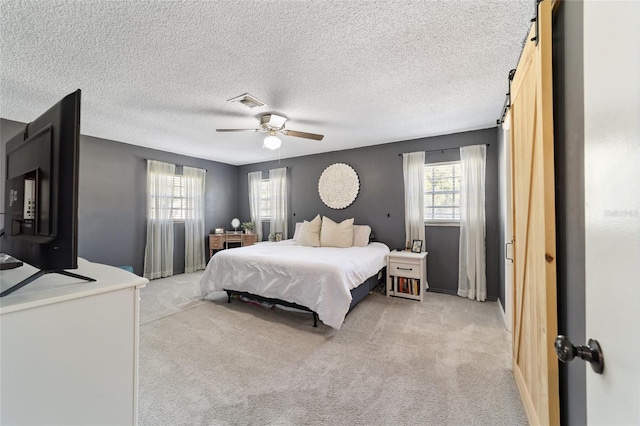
445,361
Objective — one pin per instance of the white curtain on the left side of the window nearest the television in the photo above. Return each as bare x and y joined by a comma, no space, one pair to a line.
158,253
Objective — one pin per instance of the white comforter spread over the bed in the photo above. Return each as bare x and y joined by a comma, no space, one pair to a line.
319,278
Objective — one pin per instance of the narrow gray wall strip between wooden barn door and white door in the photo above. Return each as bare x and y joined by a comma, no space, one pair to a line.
568,118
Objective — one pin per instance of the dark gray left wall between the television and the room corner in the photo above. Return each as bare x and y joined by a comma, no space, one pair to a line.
112,199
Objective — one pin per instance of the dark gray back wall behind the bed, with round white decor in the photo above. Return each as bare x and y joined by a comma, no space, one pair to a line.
380,202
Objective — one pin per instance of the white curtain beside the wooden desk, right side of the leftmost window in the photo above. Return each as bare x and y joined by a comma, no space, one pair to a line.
194,180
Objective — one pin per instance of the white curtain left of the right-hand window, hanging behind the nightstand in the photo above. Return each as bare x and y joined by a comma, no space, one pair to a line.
413,171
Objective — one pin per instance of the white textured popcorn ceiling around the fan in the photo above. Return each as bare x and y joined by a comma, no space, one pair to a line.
159,74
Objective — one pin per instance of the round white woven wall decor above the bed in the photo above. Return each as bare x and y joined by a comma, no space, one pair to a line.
338,186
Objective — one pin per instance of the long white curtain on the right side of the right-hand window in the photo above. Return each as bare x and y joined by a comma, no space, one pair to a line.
472,281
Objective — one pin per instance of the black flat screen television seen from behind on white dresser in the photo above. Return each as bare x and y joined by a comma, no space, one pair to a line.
41,192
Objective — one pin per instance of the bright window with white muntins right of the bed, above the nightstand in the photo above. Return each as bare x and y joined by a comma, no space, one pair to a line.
442,192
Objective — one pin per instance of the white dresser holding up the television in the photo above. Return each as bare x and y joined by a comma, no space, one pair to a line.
69,348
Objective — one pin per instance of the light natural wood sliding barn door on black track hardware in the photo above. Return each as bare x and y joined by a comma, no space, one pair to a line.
535,365
